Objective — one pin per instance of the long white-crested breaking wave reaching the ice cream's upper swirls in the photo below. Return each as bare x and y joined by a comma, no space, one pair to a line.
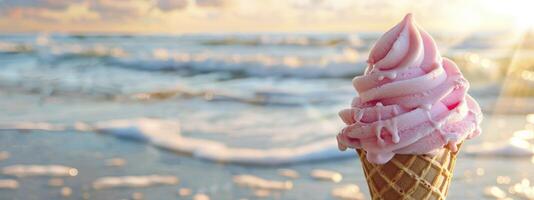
342,63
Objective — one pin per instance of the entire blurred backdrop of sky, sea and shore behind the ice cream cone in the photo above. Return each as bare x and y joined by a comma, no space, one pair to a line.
237,99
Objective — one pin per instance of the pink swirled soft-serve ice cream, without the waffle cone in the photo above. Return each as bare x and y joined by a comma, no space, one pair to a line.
411,100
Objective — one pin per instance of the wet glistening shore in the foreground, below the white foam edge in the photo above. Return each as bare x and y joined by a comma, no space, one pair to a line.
158,174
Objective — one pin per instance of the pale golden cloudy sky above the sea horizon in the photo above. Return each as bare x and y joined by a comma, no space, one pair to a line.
220,16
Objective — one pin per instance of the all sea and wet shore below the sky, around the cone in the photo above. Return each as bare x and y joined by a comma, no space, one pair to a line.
237,116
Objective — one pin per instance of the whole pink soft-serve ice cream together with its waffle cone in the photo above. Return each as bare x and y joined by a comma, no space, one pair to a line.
410,116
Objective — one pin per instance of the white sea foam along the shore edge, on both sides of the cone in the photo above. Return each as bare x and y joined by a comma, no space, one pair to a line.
165,134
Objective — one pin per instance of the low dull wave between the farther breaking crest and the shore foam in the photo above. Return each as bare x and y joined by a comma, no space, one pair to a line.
48,88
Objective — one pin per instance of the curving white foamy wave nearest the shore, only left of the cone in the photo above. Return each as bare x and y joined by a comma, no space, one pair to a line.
165,134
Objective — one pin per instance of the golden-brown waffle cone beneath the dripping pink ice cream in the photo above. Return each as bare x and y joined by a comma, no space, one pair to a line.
410,176
